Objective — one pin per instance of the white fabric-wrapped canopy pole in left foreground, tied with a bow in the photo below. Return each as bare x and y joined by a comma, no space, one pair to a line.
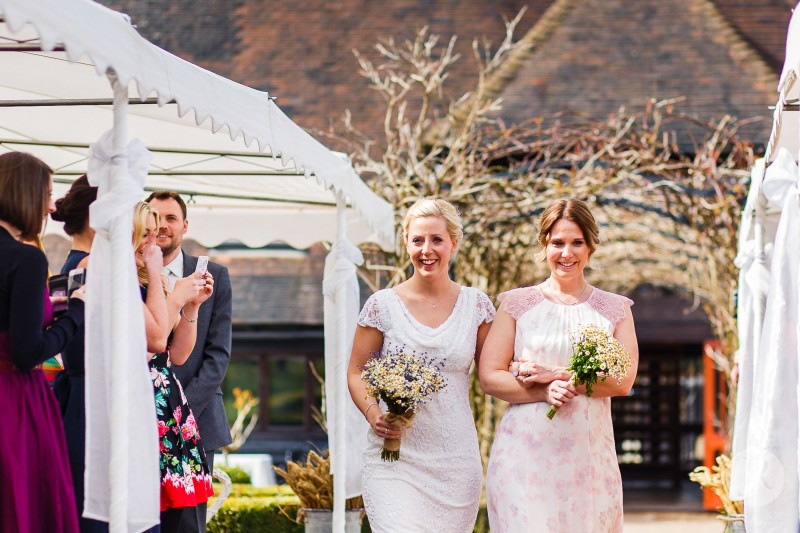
122,474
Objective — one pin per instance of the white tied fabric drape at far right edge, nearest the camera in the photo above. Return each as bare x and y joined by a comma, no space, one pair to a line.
772,491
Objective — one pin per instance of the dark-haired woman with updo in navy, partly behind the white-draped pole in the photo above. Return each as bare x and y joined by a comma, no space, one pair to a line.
70,384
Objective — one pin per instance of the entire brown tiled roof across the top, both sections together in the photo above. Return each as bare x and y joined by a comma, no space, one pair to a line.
722,55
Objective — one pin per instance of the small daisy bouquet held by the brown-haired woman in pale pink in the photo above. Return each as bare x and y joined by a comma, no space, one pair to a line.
596,356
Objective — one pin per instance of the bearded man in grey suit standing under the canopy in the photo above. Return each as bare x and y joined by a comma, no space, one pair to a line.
202,374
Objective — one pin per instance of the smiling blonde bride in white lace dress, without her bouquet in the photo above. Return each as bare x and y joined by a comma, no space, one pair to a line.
435,486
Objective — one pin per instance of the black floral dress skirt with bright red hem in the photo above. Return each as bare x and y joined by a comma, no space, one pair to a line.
185,479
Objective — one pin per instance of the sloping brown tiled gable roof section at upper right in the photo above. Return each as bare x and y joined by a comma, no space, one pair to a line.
606,54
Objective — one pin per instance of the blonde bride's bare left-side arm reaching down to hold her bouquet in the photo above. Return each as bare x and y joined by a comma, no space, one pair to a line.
367,342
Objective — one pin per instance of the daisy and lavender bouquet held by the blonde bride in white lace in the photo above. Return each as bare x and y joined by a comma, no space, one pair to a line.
403,381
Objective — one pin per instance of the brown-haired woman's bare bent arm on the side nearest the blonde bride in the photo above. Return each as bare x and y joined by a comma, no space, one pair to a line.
493,367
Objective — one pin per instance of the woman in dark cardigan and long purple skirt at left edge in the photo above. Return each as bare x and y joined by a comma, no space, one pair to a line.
36,493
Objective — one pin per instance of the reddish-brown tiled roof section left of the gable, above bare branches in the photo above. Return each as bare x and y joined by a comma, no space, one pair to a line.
302,51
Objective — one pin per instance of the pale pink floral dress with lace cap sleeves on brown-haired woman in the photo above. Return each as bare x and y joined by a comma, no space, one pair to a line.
558,475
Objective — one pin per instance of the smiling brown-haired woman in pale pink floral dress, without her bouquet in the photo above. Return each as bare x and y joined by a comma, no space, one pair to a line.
560,474
